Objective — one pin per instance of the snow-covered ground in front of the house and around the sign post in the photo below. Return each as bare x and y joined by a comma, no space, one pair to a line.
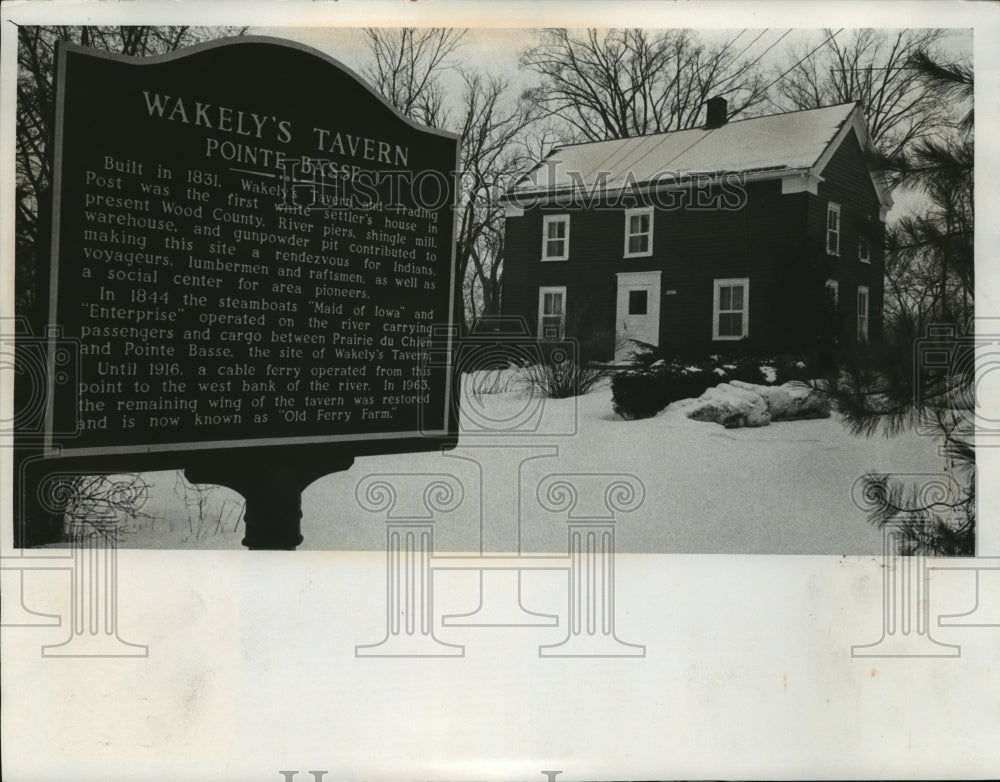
780,489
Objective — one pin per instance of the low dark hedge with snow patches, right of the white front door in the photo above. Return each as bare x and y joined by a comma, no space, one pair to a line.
646,390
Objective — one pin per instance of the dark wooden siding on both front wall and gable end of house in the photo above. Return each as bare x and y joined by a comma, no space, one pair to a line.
775,240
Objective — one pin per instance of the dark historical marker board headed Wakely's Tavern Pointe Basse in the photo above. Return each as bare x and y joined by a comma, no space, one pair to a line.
252,248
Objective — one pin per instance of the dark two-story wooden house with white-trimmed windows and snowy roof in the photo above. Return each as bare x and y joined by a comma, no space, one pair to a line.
763,234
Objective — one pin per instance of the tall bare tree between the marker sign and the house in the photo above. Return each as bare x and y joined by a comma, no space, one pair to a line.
408,68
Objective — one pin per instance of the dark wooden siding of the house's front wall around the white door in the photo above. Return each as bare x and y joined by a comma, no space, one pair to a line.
691,247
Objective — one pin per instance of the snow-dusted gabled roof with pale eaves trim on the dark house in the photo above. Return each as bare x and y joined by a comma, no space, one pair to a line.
797,143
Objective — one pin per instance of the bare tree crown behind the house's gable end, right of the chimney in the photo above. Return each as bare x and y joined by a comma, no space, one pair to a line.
871,67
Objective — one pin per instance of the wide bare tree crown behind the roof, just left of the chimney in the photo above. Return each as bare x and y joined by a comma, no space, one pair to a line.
608,84
